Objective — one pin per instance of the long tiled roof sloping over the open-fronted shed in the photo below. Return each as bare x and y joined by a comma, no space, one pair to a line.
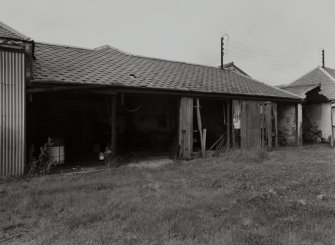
109,66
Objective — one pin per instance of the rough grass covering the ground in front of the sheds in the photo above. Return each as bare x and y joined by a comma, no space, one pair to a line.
238,198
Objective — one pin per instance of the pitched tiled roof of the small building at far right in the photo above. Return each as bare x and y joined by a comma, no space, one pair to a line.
323,76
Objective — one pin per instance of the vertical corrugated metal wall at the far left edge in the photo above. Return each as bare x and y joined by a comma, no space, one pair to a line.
12,111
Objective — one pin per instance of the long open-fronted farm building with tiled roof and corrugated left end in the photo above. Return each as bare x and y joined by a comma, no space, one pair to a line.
90,99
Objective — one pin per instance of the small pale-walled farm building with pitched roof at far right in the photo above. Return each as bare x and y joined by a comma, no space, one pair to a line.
317,89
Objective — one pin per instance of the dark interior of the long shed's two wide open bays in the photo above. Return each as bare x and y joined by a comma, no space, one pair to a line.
145,125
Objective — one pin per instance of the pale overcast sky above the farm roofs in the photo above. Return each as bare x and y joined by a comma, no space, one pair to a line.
274,41
